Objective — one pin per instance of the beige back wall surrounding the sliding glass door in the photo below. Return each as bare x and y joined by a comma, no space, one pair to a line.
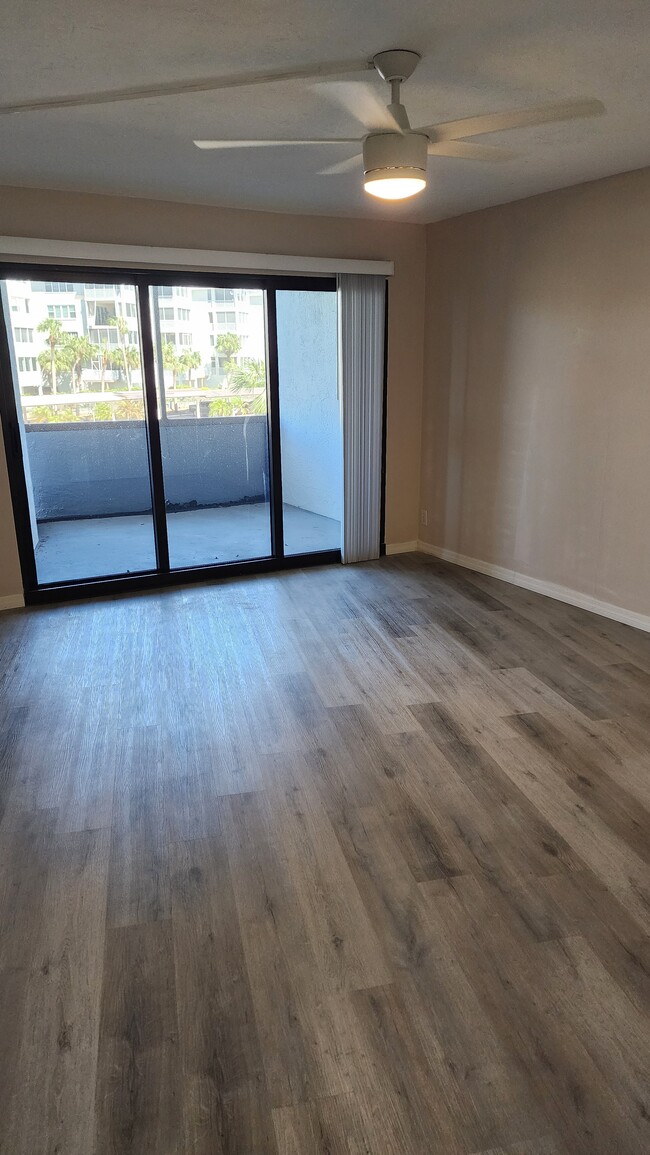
71,217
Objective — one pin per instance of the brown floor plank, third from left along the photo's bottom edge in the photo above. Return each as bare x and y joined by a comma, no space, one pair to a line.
225,1092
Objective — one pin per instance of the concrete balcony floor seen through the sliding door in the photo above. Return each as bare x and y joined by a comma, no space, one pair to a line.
100,547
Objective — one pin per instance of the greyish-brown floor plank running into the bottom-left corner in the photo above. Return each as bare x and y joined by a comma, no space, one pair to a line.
62,1011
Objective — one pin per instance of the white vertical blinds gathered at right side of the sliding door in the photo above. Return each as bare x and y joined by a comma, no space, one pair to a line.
361,352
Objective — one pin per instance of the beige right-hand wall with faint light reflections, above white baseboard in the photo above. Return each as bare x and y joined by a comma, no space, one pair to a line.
536,419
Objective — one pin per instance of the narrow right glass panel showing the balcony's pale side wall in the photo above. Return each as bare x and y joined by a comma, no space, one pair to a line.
310,421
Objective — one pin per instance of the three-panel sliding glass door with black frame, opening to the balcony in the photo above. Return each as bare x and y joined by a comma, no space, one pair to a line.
160,426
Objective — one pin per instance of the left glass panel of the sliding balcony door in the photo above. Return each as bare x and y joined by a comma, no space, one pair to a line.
78,375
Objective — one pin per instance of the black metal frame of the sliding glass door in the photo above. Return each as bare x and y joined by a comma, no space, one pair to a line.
143,280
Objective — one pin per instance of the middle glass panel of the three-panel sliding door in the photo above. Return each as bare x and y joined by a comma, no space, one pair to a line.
212,377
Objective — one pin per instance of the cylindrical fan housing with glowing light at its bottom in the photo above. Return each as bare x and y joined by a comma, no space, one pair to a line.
395,165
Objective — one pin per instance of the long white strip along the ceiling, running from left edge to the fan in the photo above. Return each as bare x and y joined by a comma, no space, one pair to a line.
181,88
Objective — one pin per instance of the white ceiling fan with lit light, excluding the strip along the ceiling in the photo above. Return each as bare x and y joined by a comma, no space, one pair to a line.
395,155
